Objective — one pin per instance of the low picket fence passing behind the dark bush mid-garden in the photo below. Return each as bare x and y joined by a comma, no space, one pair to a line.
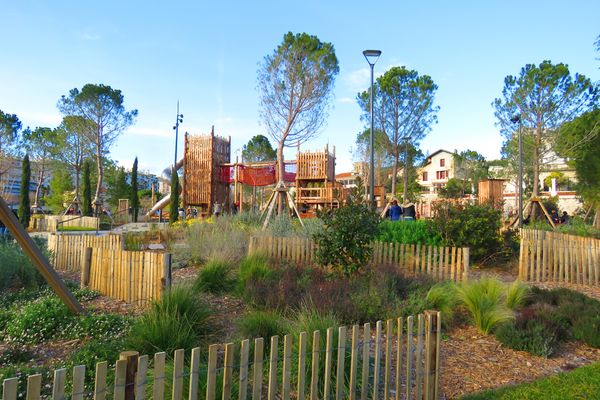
439,262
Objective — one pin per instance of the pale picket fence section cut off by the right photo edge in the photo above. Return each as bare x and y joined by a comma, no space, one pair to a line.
557,257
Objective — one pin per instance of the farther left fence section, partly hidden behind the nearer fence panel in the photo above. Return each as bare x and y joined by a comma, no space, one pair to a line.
68,249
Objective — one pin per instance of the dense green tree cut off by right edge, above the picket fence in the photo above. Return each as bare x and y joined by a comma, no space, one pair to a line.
579,142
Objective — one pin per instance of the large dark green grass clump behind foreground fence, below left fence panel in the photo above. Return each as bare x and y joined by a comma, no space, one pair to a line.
179,320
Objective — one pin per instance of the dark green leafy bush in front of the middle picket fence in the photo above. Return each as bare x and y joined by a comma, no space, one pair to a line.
345,243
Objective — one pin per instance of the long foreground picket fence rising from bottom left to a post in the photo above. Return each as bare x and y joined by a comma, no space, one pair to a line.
400,360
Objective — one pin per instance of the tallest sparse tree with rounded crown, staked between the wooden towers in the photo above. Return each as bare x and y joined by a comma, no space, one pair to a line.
295,84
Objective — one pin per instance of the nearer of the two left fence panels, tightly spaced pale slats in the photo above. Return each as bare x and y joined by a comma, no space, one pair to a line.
135,277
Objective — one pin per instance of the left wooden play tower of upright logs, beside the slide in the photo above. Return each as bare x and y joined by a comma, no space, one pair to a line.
203,156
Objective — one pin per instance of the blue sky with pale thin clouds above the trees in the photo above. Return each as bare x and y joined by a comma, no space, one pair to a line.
207,56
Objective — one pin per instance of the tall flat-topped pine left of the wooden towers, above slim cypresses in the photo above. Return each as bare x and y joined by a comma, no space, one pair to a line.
103,106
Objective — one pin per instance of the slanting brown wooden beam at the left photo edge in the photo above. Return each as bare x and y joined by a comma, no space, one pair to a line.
38,259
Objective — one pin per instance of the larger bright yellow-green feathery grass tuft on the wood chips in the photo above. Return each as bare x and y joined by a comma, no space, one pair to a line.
484,301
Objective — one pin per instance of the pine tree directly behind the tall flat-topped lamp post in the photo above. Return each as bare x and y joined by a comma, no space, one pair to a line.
403,108
